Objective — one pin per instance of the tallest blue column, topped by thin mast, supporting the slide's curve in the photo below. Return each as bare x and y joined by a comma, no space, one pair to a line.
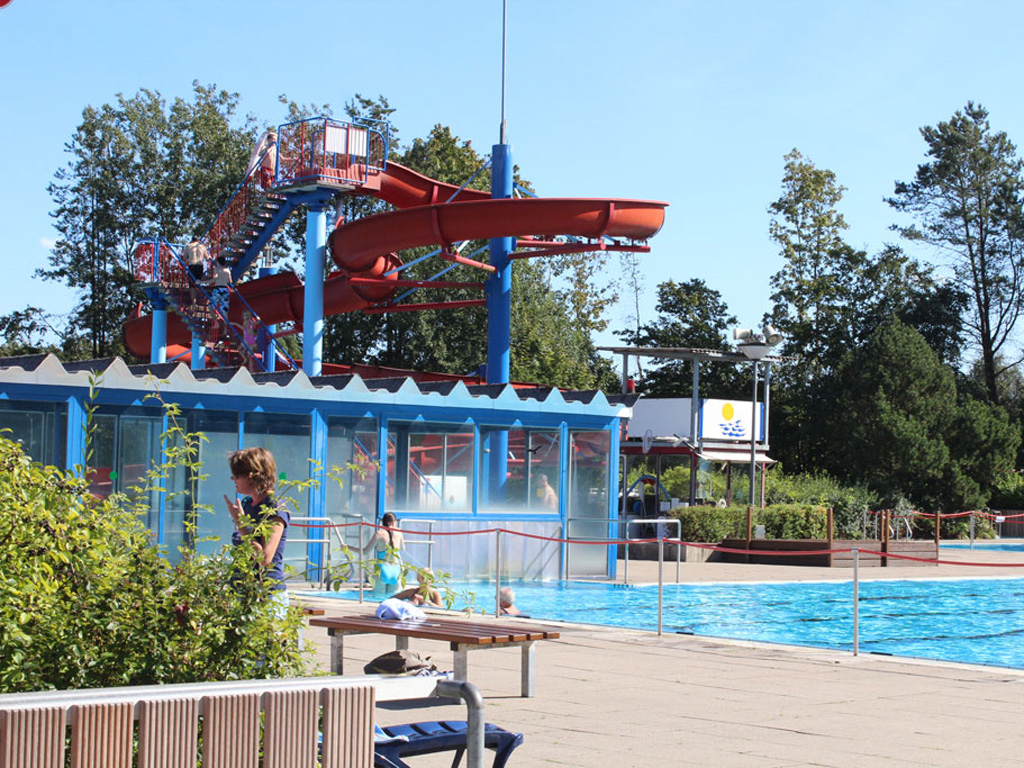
499,305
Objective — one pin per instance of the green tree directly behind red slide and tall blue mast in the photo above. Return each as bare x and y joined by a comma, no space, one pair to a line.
549,346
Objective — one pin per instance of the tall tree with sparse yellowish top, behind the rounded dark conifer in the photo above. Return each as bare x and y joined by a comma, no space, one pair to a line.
831,297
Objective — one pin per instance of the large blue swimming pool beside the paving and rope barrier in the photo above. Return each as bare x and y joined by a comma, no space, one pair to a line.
972,621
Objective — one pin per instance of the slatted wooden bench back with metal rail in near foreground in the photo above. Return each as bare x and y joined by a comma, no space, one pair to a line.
284,723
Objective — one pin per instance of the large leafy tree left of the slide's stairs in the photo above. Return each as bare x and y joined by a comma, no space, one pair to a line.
139,169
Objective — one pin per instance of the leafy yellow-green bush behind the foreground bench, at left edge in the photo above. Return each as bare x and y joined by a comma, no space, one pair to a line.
88,601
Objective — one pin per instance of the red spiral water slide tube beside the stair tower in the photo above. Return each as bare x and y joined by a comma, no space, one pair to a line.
366,248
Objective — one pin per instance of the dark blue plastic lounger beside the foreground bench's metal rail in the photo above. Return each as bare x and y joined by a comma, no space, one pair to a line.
397,742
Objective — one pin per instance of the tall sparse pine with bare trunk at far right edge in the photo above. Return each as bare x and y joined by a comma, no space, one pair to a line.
967,202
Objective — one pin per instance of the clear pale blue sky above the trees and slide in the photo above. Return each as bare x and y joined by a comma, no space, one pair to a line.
691,103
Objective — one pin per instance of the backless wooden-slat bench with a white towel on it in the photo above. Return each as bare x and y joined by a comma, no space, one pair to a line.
462,635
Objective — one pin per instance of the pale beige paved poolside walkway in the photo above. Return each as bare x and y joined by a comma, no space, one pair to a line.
614,699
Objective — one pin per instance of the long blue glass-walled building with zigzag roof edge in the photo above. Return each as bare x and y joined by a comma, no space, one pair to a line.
425,451
